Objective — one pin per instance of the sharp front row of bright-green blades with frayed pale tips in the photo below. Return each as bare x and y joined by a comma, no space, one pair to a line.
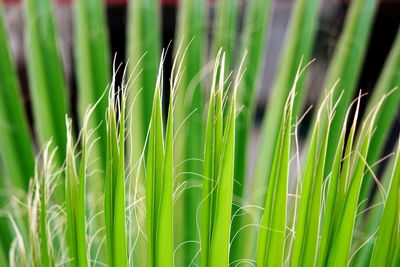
315,226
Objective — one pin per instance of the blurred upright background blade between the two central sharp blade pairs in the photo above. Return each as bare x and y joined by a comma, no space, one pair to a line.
189,104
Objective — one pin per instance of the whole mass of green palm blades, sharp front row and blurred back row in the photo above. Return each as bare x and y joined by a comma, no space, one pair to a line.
156,176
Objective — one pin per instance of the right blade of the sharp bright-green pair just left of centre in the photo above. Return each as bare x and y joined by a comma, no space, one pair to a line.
164,241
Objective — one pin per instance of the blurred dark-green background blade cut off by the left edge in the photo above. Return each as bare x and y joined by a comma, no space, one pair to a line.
15,141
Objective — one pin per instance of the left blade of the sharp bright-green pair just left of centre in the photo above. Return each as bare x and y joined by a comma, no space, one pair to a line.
154,170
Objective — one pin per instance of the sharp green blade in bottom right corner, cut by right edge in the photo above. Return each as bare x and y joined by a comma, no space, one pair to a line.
388,234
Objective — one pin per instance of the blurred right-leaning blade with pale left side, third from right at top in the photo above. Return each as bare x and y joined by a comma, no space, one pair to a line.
298,45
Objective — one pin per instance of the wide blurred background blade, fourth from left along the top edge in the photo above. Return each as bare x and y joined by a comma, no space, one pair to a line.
143,51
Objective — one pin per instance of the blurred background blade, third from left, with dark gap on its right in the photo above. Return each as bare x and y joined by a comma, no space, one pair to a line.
92,68
